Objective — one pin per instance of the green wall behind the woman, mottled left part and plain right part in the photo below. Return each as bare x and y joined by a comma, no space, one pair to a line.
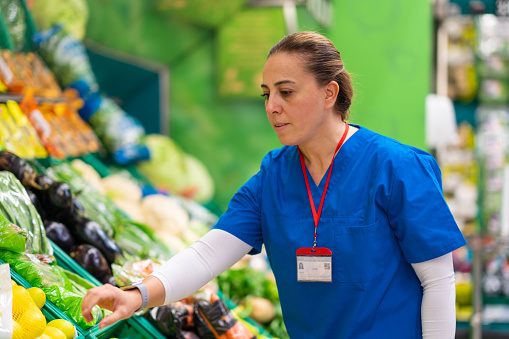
387,45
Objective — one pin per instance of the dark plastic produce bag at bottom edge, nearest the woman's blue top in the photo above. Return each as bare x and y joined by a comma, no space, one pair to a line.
214,320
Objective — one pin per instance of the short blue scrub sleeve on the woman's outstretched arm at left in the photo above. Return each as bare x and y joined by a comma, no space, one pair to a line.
243,217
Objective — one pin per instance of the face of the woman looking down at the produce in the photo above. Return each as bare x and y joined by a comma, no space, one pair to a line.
294,102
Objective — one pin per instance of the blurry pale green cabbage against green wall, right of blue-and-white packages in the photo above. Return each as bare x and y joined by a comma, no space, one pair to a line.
171,169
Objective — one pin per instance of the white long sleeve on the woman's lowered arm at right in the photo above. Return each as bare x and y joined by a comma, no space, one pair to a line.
438,310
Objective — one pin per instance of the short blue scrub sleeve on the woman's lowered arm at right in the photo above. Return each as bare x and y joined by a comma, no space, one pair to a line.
418,212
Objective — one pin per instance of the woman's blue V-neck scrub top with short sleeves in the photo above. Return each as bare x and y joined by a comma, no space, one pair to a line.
384,209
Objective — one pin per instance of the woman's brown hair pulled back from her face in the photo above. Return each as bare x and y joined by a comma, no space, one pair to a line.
321,59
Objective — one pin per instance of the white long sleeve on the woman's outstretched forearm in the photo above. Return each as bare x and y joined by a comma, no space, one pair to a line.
192,268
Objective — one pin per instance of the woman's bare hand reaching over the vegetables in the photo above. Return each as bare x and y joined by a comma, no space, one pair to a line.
123,304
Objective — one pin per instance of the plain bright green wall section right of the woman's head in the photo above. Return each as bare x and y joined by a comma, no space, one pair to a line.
387,45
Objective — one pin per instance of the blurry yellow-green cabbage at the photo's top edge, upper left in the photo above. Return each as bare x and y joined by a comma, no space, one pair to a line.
71,14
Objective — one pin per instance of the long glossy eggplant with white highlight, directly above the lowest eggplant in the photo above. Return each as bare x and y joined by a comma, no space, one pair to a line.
89,232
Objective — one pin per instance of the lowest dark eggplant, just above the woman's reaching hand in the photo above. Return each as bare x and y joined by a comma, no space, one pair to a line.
92,260
